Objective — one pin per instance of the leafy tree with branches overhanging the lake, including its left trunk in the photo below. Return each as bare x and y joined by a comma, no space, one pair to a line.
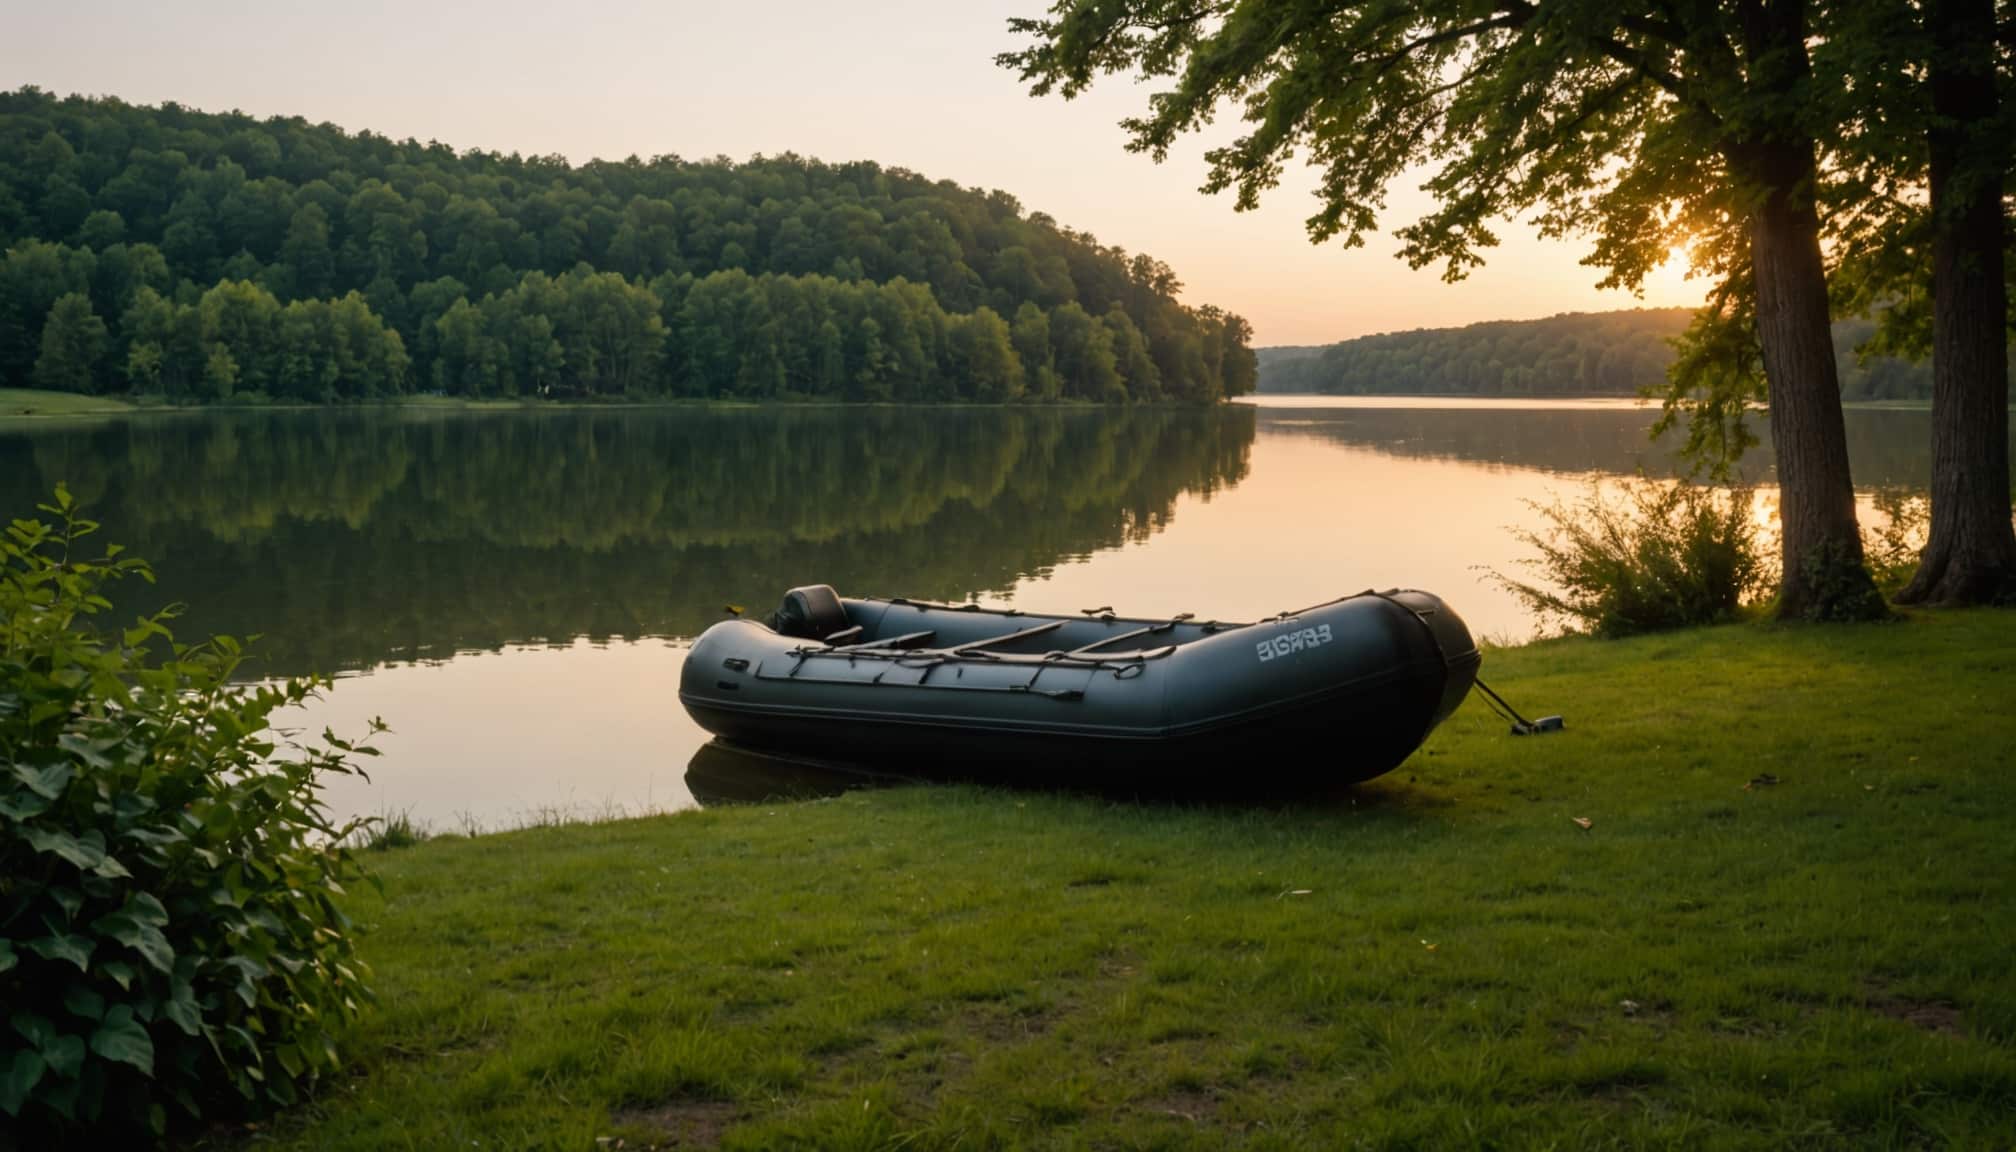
1640,126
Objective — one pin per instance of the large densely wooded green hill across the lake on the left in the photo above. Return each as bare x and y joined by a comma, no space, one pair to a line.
205,257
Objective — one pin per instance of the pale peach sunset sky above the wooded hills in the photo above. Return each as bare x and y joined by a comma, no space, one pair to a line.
900,82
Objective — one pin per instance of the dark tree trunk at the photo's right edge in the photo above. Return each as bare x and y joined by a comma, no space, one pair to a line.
1973,550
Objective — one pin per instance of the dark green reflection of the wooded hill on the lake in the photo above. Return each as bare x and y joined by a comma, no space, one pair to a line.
358,540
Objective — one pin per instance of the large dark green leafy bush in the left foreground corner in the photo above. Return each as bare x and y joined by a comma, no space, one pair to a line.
170,943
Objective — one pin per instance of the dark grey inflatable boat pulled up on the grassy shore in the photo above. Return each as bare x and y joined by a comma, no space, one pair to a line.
1342,691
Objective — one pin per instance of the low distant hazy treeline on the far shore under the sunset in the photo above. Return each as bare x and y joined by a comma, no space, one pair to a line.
1573,354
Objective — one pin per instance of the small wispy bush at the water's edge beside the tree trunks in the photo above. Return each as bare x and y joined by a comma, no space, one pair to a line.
1658,558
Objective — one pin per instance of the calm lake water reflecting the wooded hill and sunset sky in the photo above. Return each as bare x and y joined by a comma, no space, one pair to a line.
513,590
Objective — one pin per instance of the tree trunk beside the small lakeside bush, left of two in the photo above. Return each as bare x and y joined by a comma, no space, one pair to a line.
1773,158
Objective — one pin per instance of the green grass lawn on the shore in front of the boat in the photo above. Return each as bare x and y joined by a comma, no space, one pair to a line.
1442,959
